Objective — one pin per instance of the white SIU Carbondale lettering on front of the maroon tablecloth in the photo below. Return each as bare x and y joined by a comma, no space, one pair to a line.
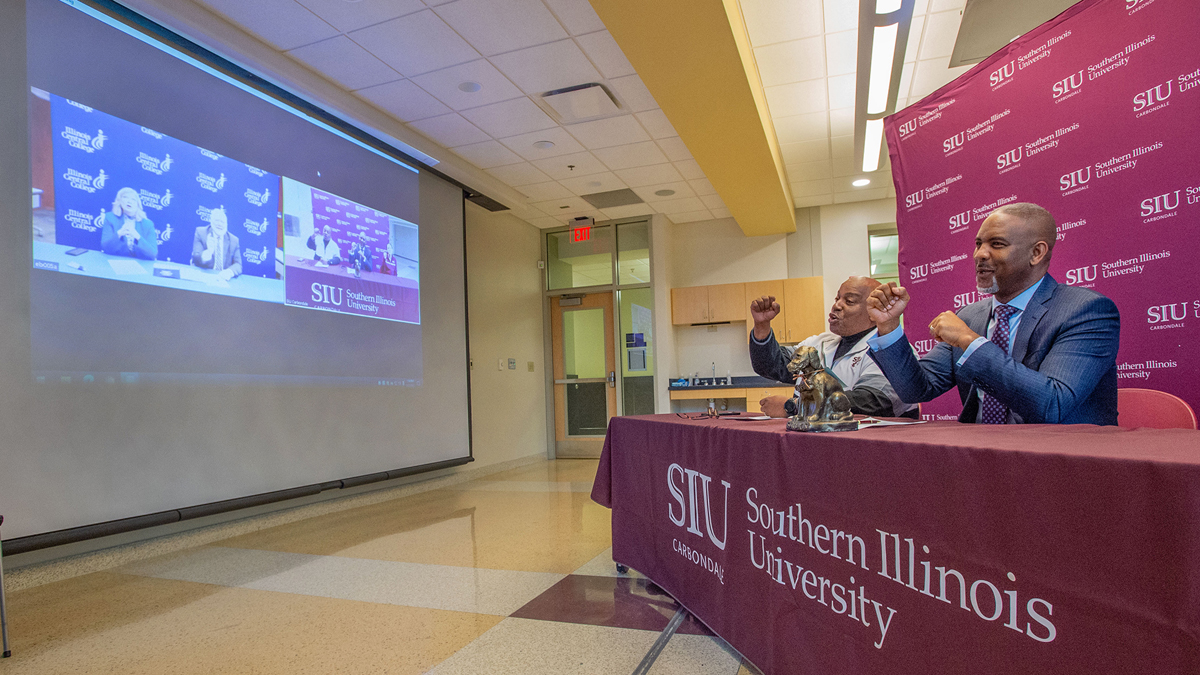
691,492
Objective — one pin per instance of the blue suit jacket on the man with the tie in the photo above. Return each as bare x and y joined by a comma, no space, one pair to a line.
1063,369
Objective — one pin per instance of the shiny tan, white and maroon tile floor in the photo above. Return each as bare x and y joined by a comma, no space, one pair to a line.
512,574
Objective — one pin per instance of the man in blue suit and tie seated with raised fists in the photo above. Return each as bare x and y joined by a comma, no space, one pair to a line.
1036,353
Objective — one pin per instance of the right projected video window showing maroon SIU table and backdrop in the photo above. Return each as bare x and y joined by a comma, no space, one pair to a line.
349,259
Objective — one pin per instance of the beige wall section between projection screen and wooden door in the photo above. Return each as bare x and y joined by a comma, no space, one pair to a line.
506,306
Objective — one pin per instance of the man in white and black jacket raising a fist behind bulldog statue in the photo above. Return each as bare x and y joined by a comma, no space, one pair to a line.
843,350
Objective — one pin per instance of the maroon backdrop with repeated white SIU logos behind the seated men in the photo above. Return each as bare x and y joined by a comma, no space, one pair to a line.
1095,116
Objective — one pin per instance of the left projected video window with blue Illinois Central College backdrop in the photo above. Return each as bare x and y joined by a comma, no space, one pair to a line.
103,163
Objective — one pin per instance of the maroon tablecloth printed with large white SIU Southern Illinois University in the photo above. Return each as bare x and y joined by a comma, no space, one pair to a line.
1078,547
